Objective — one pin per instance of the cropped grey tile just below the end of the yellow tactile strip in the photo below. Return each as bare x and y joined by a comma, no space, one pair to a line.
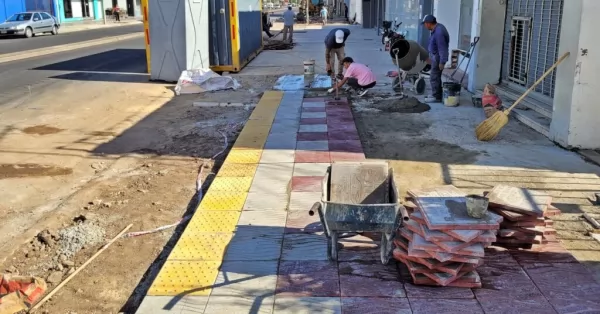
171,304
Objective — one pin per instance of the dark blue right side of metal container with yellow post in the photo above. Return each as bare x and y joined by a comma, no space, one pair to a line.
235,33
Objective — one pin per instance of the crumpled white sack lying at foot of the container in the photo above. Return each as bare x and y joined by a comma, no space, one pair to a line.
203,80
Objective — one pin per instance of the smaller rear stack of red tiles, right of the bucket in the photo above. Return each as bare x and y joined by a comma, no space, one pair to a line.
526,217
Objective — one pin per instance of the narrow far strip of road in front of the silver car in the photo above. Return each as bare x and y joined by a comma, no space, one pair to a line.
10,45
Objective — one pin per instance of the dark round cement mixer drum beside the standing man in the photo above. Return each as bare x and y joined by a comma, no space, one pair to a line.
408,55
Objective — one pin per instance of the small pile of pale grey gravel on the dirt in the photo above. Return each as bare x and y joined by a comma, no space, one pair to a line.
75,238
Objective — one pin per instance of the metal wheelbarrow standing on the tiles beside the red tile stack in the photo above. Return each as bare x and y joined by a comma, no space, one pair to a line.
359,197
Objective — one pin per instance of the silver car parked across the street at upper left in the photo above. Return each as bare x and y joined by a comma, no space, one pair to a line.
29,24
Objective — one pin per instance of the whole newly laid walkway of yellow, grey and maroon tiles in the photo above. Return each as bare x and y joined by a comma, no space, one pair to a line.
251,247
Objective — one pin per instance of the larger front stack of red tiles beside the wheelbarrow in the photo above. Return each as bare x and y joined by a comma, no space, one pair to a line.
441,245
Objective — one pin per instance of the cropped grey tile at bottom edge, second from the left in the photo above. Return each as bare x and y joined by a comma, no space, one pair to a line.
240,305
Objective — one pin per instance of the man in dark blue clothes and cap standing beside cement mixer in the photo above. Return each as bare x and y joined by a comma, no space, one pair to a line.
438,53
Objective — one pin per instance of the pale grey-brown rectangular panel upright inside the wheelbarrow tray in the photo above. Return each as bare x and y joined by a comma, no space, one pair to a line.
360,183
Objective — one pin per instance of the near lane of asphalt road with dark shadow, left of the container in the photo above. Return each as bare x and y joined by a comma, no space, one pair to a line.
122,61
